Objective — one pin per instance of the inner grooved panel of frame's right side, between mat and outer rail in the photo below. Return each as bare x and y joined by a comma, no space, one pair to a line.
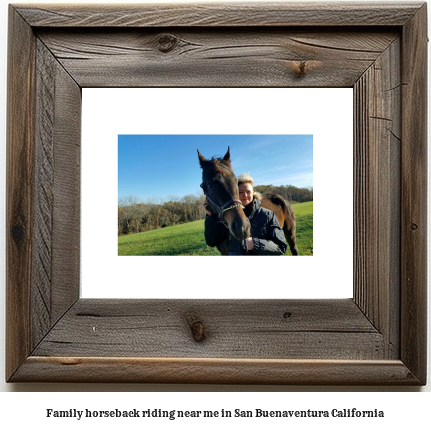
377,182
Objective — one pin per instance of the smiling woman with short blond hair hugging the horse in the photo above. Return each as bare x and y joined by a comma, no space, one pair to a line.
267,237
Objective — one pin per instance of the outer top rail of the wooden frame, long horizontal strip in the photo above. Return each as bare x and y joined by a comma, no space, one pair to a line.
220,15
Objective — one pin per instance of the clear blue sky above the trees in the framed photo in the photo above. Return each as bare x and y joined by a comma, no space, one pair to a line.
164,166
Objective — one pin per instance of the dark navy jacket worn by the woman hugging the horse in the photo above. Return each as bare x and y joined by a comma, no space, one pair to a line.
268,236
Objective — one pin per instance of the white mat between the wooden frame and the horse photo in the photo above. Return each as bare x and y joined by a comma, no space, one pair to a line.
327,114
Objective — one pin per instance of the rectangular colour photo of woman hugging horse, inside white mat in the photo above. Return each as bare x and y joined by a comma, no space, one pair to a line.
212,195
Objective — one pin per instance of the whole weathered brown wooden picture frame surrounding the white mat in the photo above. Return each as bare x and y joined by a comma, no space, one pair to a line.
378,337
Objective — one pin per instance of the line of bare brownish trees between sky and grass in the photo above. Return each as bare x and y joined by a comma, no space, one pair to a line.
135,216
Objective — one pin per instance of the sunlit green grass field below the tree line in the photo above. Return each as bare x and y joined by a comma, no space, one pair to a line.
188,239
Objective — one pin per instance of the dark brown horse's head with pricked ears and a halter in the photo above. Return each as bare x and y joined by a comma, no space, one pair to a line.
220,186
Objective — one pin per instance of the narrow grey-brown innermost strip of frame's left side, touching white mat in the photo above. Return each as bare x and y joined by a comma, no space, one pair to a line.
67,200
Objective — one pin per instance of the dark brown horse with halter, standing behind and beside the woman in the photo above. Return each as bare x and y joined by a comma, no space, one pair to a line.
220,187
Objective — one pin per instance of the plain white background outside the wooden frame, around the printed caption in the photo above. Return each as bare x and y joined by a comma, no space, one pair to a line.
404,409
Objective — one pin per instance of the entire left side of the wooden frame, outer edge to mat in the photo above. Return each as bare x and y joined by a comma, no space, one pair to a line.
43,179
